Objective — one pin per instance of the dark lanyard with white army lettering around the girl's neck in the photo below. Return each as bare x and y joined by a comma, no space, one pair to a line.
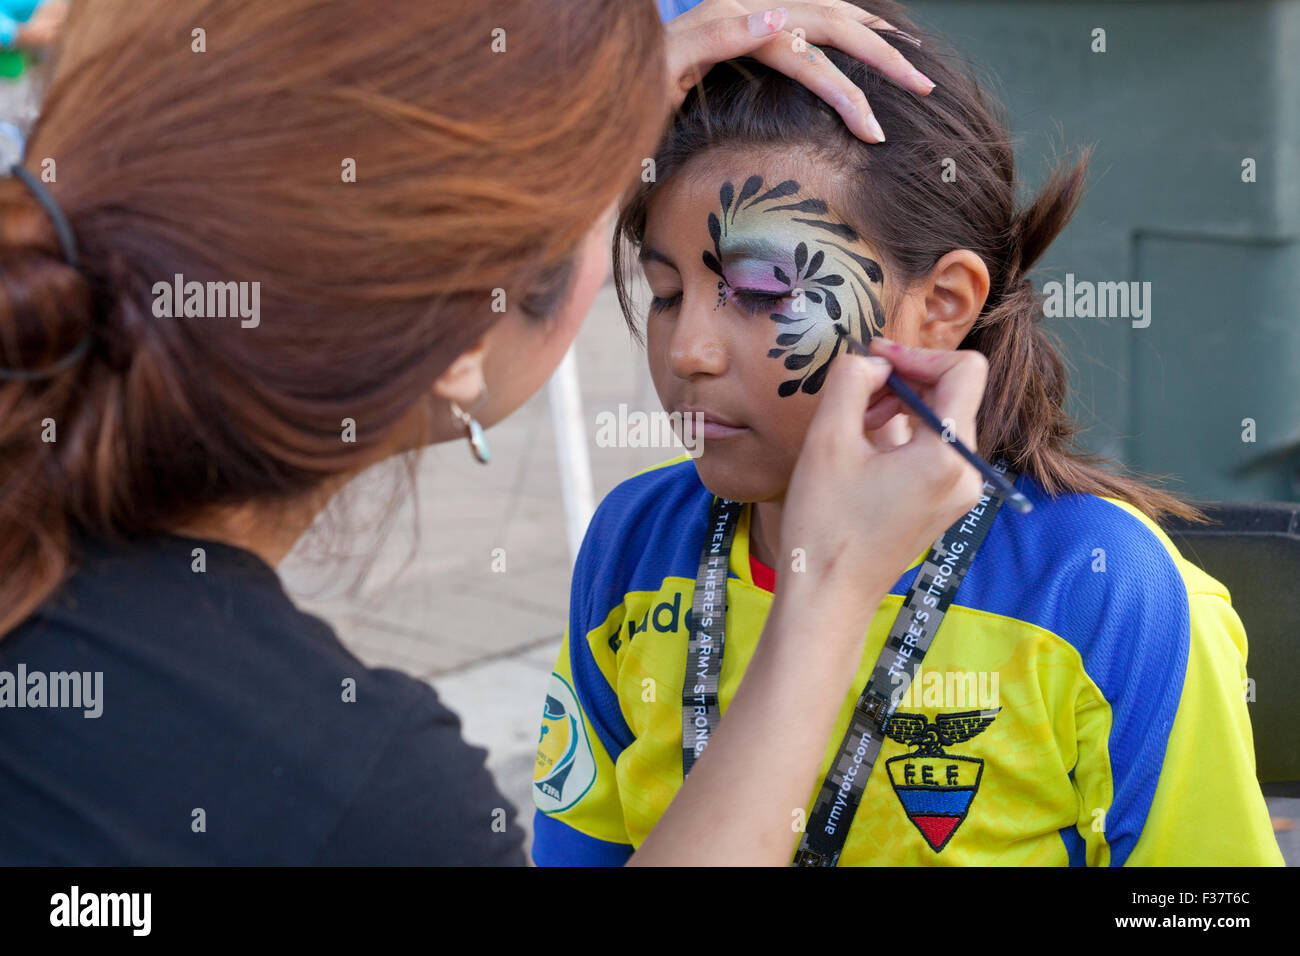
909,639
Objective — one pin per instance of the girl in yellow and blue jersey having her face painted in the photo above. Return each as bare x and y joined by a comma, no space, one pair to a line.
1054,689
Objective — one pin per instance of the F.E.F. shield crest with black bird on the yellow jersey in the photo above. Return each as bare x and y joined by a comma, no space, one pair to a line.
937,788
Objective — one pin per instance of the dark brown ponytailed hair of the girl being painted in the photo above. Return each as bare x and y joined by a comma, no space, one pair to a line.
896,196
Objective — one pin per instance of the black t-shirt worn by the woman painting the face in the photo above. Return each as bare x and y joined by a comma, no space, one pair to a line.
231,729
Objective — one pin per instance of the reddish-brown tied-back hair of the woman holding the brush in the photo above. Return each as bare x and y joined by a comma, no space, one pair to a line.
210,141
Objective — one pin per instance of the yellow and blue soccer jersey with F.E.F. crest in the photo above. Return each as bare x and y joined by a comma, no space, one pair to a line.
1113,668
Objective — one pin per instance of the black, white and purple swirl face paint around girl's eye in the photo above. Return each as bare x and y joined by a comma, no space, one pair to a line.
773,252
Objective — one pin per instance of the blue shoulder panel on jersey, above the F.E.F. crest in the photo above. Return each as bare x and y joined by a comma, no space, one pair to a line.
1130,624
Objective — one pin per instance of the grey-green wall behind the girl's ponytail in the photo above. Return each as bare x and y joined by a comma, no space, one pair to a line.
1181,97
